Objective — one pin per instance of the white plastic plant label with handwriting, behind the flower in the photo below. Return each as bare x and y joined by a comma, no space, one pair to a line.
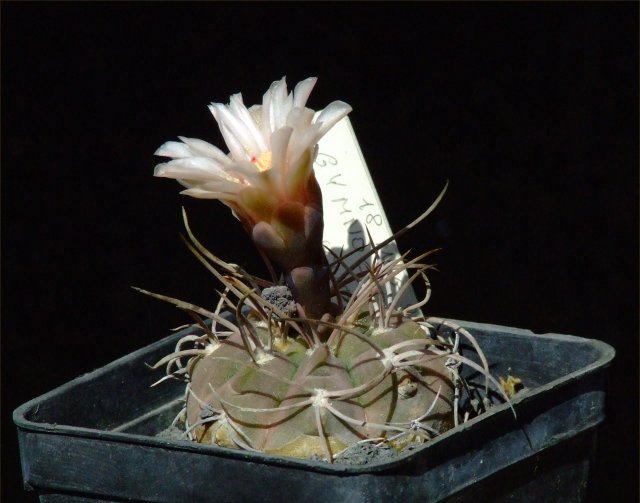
352,208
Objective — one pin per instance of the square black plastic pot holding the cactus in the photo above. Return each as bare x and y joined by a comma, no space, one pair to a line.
93,439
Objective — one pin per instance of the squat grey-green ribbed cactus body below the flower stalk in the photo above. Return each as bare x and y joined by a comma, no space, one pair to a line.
297,400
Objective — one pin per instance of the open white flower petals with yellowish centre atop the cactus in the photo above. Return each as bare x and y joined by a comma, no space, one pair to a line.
271,151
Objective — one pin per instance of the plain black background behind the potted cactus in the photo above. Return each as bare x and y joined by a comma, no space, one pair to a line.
530,110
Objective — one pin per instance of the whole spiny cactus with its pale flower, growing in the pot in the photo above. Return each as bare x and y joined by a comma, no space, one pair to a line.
302,368
